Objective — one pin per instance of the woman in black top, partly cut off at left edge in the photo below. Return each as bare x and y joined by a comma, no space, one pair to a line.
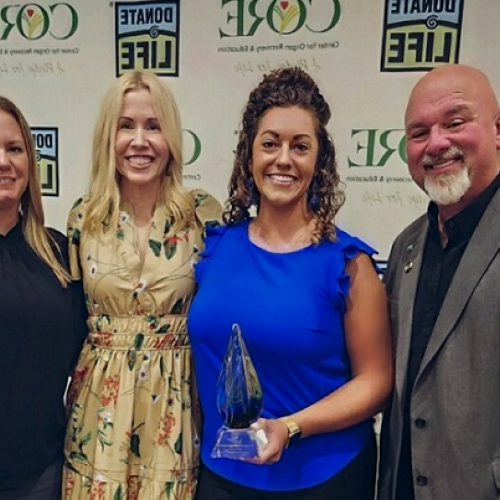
41,324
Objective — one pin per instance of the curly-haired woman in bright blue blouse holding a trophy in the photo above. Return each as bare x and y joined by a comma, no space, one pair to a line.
311,308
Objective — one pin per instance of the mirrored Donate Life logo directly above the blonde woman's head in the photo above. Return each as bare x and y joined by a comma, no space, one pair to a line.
147,37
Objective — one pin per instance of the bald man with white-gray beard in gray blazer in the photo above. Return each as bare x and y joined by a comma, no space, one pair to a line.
441,435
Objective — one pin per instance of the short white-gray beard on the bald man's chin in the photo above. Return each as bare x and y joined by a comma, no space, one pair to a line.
447,189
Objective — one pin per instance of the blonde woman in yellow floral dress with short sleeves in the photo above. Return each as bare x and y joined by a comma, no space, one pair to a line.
133,241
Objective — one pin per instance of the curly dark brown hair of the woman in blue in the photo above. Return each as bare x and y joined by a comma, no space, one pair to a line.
287,87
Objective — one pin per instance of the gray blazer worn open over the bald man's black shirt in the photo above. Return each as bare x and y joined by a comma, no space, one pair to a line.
455,401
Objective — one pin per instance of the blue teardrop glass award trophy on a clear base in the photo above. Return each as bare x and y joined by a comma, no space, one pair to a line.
239,402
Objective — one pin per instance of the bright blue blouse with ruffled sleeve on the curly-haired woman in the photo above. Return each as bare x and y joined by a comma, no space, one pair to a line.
290,307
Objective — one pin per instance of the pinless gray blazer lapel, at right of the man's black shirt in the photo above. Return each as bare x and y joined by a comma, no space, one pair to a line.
481,250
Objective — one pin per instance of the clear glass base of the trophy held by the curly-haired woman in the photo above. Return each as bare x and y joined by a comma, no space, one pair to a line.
238,443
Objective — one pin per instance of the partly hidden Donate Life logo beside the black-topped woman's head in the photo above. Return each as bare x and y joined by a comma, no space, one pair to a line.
47,157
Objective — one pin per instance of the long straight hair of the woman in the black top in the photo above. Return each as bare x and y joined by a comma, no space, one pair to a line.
36,235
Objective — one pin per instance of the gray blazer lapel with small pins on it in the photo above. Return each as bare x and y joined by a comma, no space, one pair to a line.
410,272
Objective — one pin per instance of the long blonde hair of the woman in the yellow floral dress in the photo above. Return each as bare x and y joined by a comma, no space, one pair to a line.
104,193
